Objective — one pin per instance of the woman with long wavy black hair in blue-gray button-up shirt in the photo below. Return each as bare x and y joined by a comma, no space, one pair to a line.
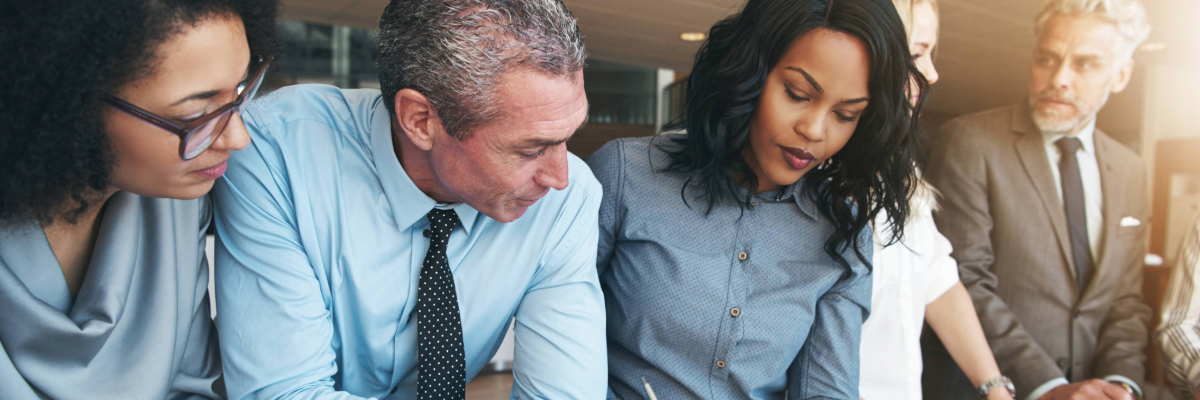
736,256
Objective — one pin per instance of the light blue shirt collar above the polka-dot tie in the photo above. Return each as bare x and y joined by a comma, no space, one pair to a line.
409,204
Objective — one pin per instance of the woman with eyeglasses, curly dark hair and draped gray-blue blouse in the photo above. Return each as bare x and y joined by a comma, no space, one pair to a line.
116,120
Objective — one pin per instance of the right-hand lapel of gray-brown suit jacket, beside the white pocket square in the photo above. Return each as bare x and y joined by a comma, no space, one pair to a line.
1111,188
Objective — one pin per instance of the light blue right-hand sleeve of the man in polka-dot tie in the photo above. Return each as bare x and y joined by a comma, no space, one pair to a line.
560,335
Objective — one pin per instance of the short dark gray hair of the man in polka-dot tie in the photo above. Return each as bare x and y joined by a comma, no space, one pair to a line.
455,52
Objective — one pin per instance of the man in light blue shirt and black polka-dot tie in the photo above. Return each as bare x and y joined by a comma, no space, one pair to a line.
379,244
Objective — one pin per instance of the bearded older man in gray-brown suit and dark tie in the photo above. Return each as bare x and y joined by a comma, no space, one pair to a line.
1047,216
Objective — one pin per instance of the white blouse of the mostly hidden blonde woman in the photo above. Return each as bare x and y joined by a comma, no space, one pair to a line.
908,276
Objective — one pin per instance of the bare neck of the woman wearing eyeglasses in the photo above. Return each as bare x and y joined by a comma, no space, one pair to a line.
74,241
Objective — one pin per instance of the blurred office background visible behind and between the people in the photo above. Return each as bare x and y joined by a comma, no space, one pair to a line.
641,52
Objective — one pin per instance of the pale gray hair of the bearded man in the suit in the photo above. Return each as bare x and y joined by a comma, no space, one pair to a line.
1130,17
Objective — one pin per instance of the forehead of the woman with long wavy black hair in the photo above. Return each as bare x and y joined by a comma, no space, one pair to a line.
836,61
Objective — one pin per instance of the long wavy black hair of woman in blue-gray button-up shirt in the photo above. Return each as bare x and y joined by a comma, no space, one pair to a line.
874,172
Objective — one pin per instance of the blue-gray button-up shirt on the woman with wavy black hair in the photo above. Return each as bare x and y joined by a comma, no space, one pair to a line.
736,305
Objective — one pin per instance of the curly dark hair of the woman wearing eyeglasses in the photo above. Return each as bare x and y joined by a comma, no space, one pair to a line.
61,58
